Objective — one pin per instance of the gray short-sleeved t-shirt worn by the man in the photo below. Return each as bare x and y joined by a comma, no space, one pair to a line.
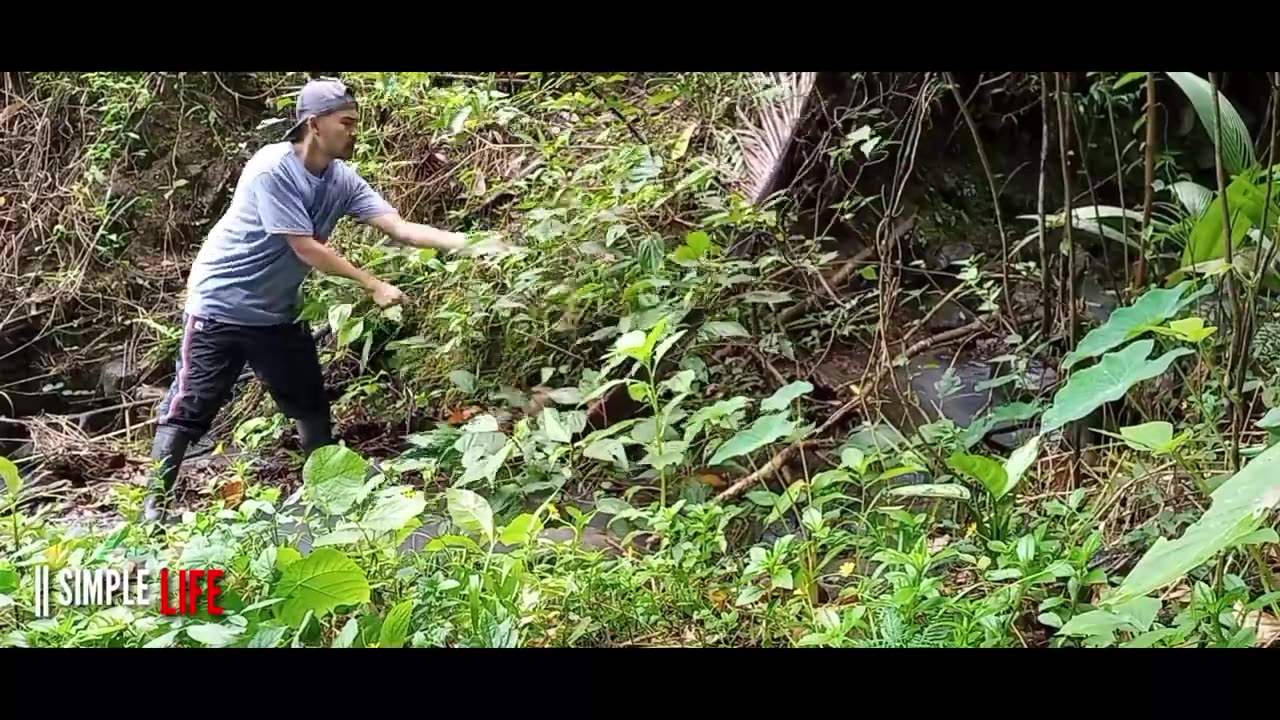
246,274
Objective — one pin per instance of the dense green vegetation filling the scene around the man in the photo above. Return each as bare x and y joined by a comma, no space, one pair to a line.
679,413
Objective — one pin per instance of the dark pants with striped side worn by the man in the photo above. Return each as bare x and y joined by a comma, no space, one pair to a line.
213,357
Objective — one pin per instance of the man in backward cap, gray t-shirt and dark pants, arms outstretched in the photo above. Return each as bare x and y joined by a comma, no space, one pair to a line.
244,291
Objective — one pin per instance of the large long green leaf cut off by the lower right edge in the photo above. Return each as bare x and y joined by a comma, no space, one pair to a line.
1237,511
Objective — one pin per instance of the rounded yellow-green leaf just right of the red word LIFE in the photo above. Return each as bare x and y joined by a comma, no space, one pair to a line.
319,584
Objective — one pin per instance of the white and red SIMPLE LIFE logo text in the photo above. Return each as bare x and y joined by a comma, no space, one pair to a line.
180,594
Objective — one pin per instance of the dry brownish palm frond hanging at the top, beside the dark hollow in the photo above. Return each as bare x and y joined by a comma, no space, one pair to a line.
766,138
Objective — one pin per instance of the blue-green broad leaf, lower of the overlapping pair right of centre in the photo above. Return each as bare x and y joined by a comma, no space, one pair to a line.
1105,382
